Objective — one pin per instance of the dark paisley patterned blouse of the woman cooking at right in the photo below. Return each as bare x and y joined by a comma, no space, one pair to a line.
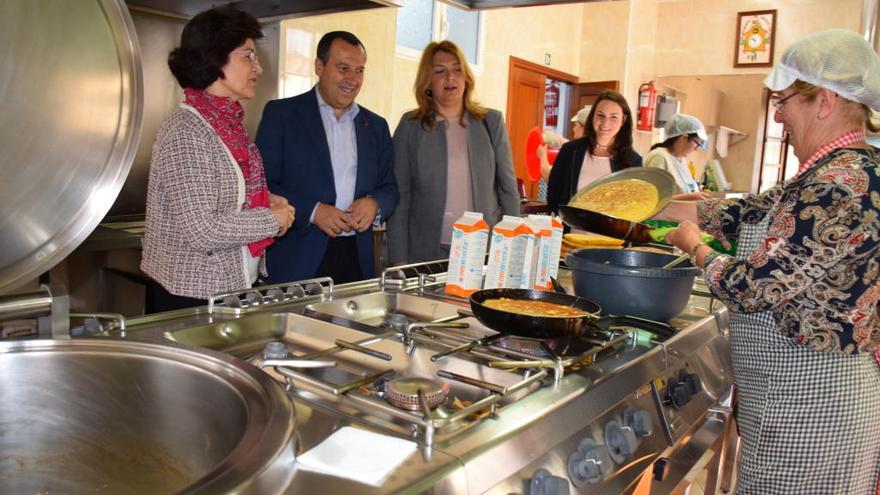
817,268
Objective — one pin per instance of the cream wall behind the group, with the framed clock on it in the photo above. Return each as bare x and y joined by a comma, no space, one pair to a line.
632,41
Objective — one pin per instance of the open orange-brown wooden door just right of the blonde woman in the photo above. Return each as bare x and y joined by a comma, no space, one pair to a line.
525,109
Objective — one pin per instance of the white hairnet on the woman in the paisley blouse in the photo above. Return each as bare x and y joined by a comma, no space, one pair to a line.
835,59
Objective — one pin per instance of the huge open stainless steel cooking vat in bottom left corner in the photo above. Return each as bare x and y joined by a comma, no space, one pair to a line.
111,416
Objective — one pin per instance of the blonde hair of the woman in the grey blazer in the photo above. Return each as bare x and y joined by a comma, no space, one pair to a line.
421,88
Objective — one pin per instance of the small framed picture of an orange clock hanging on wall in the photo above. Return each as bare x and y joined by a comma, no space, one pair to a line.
755,33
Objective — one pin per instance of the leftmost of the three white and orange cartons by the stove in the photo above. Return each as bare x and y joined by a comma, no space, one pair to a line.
470,235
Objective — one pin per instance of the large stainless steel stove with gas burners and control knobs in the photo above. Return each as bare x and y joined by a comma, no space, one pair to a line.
603,414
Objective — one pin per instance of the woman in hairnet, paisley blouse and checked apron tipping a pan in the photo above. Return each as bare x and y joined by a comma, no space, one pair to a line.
803,287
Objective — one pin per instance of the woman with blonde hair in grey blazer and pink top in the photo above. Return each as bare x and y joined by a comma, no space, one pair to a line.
451,155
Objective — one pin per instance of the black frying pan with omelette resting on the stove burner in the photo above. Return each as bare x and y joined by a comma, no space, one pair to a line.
545,327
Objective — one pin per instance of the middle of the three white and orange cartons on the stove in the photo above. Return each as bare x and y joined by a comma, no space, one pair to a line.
507,253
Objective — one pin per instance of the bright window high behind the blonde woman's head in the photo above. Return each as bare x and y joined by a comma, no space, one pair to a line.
421,21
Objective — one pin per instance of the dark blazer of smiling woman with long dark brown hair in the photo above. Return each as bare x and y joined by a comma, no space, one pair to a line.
567,169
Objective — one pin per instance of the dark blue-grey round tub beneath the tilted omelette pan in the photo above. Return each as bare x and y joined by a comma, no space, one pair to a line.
630,282
